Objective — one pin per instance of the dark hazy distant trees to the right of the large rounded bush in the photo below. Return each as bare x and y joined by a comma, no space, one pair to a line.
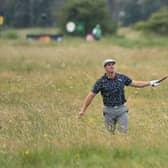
127,12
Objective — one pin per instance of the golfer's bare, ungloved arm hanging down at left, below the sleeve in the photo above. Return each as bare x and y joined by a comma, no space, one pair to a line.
87,102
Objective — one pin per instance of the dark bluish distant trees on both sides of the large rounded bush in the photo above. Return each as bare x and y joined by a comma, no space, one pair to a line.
30,13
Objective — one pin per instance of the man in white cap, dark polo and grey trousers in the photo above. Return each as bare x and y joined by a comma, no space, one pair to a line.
111,85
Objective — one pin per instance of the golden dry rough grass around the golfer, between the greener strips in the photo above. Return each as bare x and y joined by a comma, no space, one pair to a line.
39,106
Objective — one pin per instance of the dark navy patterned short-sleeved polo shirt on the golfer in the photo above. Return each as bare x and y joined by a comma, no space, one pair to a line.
112,90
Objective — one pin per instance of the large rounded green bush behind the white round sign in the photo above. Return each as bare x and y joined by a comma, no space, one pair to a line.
89,12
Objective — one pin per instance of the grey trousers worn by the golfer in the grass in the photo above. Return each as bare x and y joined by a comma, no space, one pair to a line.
116,115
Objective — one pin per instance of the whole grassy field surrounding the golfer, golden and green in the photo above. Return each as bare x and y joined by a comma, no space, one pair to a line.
42,89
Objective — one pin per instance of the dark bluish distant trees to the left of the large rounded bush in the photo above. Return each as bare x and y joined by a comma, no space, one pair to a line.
28,13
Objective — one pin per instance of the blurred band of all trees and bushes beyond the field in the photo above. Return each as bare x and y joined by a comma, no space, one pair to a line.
146,15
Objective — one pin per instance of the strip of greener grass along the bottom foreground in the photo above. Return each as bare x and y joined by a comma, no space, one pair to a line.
89,156
